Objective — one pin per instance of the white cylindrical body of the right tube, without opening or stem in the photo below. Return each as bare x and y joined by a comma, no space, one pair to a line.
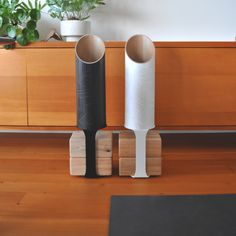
139,93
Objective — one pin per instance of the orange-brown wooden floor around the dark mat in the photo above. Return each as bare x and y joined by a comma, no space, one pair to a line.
38,197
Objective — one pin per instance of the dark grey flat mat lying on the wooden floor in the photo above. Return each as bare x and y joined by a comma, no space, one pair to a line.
212,215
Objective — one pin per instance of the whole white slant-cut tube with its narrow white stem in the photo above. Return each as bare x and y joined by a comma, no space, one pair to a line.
140,94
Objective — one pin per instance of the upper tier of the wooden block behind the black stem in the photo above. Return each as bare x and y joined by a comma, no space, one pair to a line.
103,144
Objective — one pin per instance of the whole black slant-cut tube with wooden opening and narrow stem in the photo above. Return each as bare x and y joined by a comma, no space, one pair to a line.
90,91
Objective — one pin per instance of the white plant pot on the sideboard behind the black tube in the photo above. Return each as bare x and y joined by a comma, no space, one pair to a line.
73,30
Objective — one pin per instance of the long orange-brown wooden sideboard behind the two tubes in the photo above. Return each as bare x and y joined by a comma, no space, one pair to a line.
195,86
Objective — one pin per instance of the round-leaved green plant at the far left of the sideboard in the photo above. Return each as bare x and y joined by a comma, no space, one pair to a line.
18,20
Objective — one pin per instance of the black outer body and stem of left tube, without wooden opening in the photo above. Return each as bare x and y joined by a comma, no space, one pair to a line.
91,106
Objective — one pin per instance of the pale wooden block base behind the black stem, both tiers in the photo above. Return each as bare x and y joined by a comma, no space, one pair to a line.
103,152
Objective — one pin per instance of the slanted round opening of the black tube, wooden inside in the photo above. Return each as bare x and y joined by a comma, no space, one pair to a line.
90,49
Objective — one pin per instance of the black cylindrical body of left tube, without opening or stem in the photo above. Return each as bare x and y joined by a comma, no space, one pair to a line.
91,99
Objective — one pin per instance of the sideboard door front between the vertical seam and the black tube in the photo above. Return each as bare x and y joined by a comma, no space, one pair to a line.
51,87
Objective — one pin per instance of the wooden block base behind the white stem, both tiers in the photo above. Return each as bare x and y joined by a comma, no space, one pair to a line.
127,153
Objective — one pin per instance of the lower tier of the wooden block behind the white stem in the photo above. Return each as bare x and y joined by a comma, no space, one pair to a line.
127,166
